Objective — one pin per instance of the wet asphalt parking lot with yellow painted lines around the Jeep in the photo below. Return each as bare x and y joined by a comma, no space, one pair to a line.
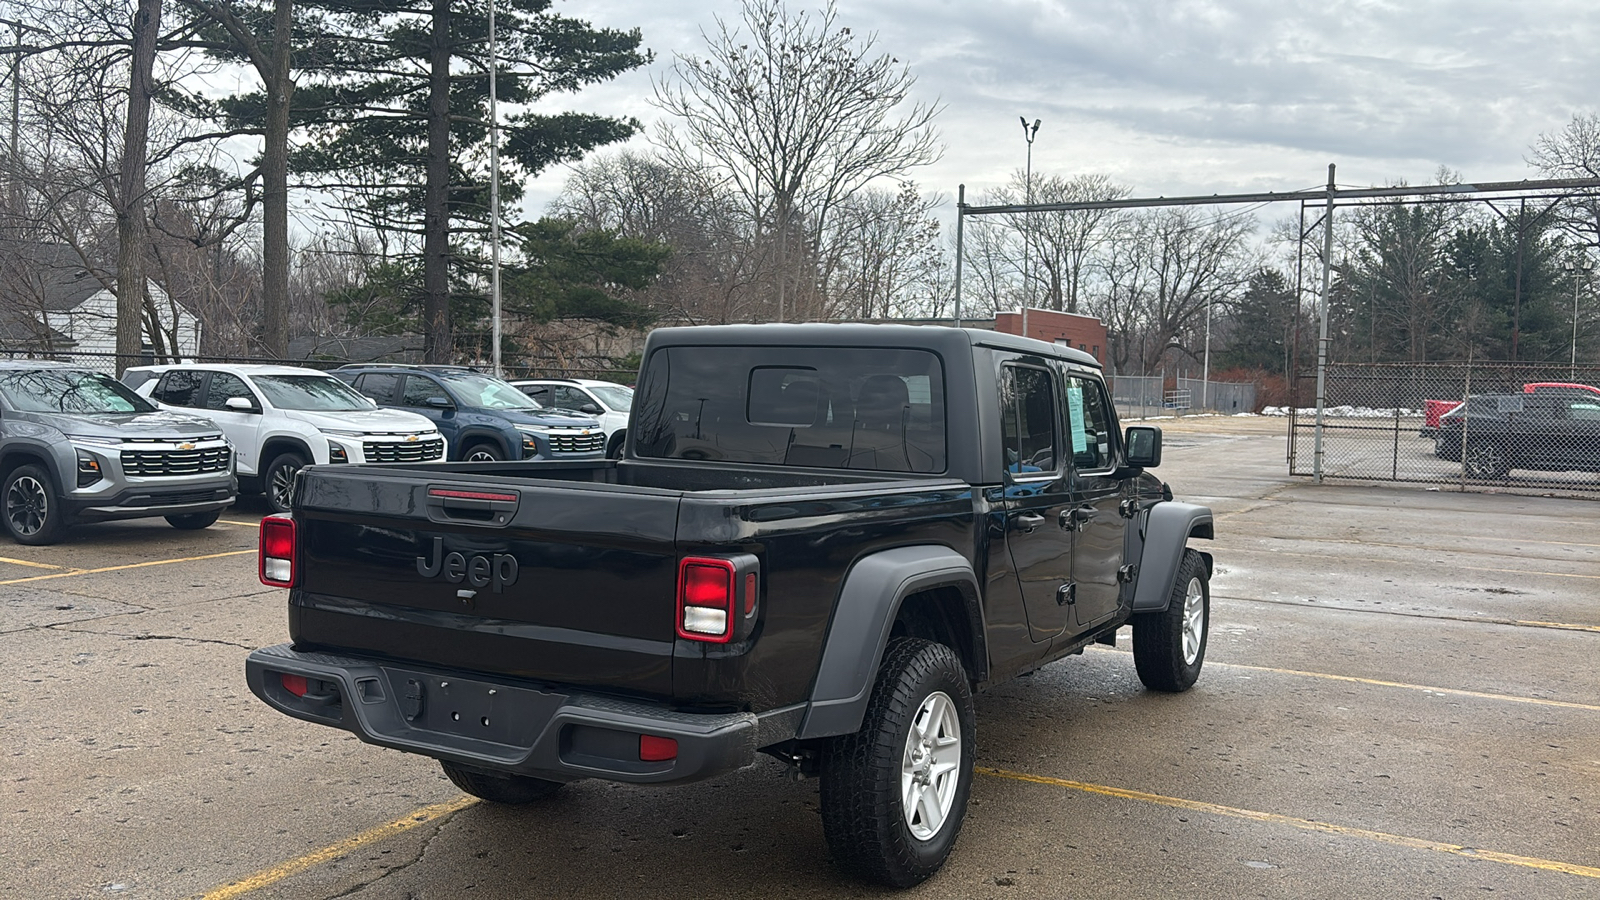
1399,701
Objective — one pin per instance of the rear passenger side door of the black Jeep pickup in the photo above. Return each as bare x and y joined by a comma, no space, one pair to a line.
1038,499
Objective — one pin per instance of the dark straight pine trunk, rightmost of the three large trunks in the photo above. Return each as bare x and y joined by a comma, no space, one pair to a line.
436,217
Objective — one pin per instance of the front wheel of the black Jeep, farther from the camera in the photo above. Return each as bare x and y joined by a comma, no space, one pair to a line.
1169,648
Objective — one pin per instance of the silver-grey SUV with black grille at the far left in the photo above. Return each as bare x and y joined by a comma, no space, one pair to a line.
76,446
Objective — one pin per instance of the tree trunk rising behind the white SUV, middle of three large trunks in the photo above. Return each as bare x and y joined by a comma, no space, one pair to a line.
276,190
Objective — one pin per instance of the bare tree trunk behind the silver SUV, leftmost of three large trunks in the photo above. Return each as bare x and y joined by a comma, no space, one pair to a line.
130,187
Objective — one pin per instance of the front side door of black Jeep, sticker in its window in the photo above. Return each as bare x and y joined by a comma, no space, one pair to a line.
1092,444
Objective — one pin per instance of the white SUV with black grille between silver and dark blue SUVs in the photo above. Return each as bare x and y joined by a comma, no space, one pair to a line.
282,417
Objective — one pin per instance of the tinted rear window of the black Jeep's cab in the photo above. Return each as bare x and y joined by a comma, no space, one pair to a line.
826,408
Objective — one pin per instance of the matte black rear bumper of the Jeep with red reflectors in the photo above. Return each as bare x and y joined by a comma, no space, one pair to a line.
508,726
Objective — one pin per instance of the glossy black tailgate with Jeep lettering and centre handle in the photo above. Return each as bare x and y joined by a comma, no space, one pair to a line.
535,579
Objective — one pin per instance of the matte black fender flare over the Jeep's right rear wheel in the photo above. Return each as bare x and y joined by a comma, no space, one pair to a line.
863,617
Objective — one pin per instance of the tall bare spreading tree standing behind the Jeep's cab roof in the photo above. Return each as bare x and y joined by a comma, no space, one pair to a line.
796,116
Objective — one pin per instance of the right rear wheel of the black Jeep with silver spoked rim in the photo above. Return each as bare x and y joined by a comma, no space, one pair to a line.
895,794
